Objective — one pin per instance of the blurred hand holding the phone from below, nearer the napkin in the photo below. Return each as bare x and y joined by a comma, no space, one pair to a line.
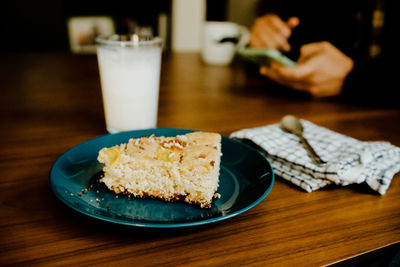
320,70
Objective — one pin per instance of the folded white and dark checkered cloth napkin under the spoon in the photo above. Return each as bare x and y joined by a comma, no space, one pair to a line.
348,160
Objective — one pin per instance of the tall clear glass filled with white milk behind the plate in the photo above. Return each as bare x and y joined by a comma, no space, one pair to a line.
129,69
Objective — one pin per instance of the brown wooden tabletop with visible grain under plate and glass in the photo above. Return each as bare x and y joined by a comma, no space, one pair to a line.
51,102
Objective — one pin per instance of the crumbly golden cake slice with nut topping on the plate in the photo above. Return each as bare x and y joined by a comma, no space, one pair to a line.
185,167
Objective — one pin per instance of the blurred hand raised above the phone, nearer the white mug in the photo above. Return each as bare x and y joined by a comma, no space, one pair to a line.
270,31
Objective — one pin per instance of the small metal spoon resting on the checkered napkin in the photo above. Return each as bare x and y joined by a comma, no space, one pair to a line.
291,124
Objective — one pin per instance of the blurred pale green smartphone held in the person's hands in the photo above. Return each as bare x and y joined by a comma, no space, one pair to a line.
265,56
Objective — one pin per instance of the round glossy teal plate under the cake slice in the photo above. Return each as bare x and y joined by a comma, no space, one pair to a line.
246,178
